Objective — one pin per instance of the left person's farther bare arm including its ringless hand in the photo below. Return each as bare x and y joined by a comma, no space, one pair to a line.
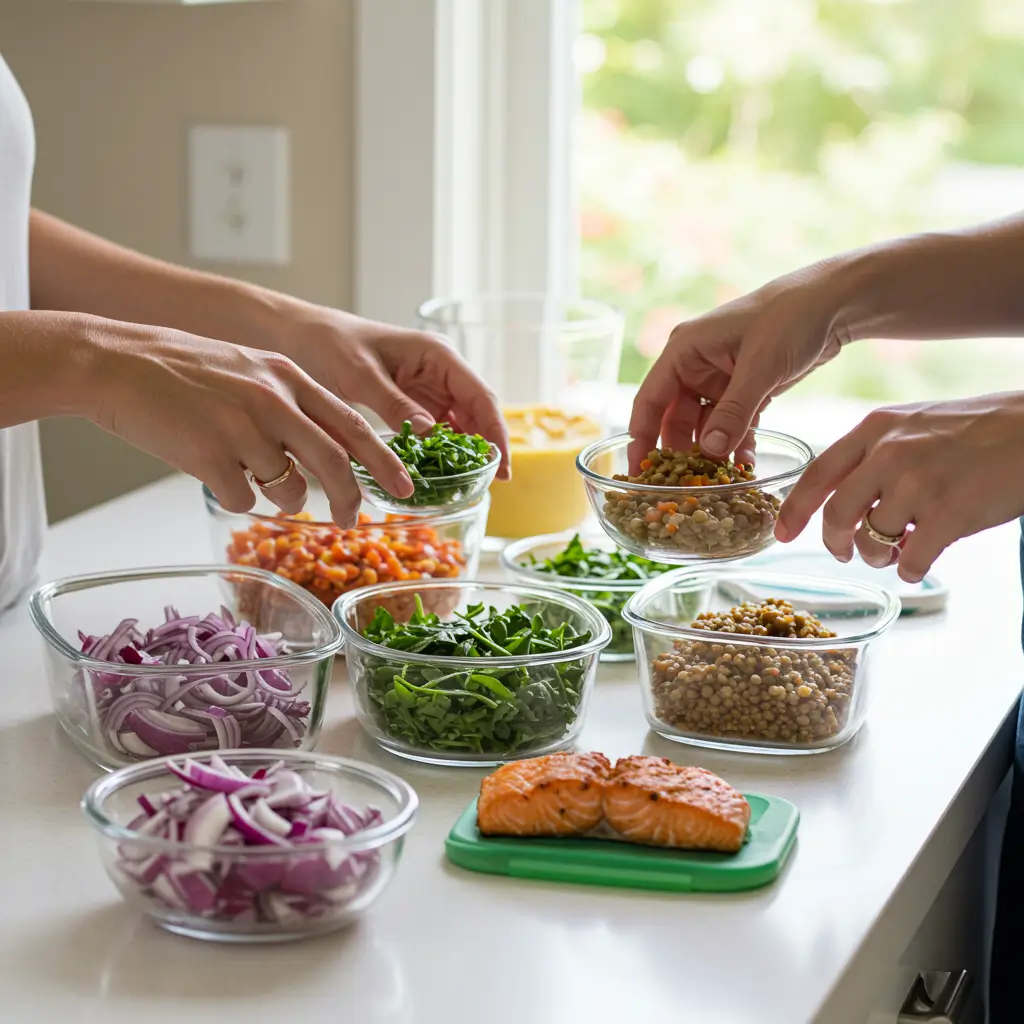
400,374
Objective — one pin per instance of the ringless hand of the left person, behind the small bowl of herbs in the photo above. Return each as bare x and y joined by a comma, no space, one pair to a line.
400,374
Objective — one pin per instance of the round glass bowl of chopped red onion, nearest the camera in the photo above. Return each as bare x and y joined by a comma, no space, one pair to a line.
255,893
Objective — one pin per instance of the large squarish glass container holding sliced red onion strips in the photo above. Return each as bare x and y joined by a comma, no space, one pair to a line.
119,714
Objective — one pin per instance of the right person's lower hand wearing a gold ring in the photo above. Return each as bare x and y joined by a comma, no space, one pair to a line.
945,471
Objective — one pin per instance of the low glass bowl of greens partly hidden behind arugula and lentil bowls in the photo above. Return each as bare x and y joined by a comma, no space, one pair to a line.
591,568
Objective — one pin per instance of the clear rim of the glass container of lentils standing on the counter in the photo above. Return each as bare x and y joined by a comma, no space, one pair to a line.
707,575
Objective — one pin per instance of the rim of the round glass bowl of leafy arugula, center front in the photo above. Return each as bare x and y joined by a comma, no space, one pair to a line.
601,630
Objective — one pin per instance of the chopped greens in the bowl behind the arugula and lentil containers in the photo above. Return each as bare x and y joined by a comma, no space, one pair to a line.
579,563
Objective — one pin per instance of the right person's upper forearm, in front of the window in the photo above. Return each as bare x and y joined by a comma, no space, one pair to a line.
941,285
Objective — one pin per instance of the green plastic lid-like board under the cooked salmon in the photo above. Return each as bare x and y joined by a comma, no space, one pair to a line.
604,863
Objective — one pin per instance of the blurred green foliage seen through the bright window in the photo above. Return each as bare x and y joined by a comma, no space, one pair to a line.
728,142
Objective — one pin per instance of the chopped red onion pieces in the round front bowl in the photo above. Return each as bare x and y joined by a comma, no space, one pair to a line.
220,806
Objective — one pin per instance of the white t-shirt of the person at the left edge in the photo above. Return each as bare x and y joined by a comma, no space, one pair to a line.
23,509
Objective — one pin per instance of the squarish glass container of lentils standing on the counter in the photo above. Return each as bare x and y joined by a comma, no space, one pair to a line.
756,694
